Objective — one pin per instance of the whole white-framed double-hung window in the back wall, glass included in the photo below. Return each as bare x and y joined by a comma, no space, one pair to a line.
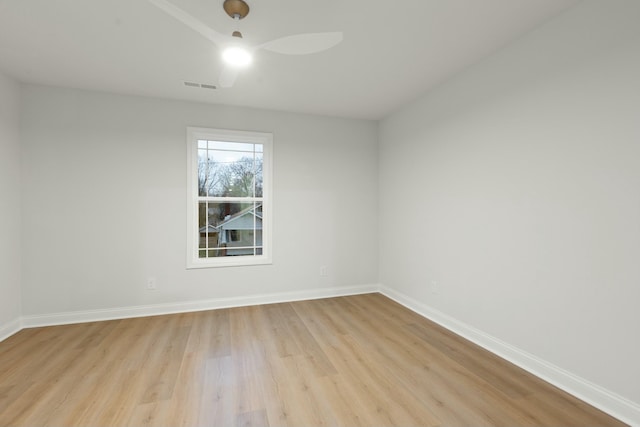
229,198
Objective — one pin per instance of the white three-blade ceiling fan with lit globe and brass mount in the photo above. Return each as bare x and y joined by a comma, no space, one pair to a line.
236,54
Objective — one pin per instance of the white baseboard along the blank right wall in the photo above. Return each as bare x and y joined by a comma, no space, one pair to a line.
601,398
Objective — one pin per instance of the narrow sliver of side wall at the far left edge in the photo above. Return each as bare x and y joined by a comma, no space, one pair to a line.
9,206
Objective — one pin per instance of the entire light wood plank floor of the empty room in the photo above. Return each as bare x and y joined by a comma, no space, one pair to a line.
351,361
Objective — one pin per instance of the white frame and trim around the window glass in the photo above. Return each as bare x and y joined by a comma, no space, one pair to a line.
193,235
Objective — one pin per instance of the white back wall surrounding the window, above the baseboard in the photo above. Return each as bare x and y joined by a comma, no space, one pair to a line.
104,187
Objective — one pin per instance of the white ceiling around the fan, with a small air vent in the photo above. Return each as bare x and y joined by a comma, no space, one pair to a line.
393,51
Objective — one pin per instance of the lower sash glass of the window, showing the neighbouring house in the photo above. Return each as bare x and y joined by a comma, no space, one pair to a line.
230,229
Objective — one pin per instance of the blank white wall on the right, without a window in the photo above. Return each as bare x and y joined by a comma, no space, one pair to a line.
516,188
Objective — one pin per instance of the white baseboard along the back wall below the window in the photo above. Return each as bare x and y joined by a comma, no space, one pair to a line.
189,306
